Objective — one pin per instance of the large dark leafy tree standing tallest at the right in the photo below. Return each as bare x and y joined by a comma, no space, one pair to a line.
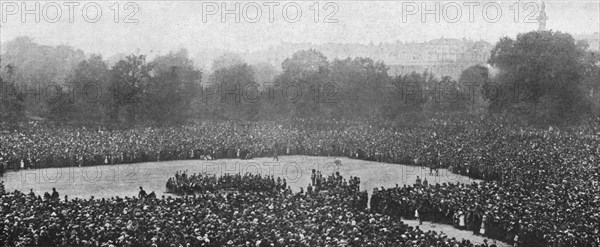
541,77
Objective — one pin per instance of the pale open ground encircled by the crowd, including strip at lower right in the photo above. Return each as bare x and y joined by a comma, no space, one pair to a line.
125,180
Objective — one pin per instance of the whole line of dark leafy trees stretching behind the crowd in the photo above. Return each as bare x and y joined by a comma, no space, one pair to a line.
542,77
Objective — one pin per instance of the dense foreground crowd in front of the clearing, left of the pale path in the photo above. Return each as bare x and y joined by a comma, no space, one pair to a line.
210,218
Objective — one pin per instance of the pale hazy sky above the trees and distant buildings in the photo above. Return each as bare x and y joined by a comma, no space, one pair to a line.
166,25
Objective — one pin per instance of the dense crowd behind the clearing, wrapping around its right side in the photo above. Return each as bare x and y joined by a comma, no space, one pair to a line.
541,185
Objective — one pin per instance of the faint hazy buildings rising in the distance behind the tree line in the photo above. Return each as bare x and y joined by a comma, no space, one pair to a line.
442,57
